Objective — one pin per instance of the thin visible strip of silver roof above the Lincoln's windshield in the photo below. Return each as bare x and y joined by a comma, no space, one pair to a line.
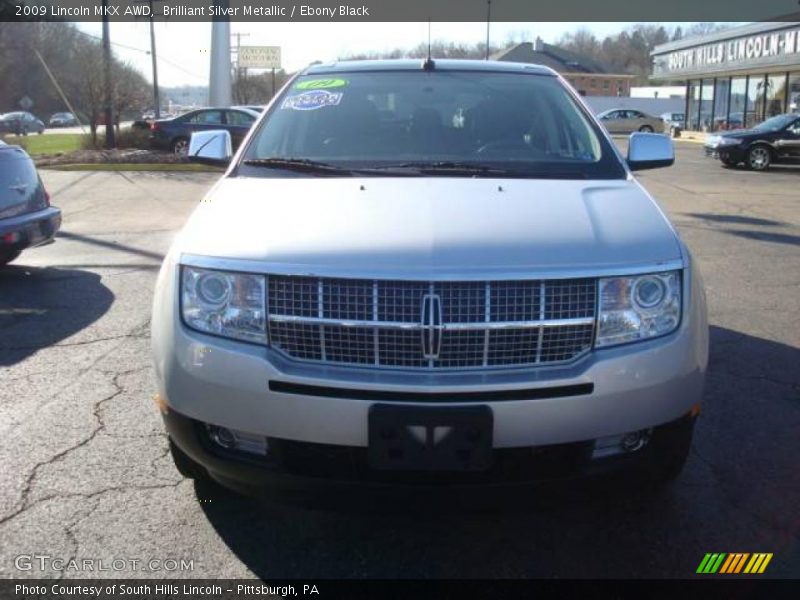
406,64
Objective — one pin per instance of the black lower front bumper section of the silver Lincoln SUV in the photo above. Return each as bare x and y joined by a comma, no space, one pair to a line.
292,466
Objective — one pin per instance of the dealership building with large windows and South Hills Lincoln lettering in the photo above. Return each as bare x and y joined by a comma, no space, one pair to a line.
734,78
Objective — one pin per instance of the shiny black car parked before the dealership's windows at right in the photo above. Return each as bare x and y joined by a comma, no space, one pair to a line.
776,140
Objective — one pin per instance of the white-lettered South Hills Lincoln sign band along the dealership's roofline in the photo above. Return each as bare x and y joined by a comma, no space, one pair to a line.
755,49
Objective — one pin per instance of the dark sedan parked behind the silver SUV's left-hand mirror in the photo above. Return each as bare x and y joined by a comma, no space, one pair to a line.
174,134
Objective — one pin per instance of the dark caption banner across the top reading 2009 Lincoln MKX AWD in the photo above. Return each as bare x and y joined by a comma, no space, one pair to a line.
401,10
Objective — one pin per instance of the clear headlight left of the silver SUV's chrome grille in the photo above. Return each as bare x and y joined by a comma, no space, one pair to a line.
226,304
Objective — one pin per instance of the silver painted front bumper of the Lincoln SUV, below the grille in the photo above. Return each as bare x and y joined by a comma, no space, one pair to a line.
252,389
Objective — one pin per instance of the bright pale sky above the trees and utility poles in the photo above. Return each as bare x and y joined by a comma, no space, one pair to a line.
183,48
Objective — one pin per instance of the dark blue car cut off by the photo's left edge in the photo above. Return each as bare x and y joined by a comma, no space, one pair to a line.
26,217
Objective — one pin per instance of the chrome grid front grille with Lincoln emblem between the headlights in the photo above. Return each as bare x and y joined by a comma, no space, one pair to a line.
431,325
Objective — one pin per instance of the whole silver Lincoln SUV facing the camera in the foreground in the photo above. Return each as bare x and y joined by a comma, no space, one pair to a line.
428,273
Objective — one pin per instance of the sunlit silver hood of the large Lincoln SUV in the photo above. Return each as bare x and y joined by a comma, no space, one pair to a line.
430,226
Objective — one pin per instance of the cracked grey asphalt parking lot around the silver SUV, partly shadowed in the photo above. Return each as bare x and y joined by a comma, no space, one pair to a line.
85,472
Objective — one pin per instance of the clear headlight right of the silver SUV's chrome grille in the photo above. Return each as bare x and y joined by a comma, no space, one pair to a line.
638,308
